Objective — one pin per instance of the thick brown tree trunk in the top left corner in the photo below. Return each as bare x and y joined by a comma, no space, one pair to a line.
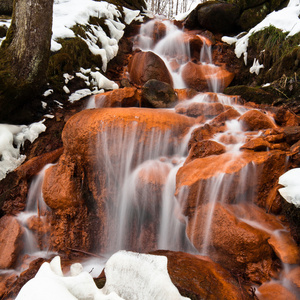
24,57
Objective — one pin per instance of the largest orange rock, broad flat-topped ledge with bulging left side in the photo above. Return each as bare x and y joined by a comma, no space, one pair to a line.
82,187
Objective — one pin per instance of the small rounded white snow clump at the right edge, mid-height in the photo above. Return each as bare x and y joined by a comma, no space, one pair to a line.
291,191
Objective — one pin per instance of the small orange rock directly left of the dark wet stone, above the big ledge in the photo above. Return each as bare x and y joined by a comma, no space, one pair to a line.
124,97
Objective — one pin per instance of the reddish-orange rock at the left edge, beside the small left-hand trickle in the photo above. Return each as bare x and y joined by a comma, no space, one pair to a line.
11,234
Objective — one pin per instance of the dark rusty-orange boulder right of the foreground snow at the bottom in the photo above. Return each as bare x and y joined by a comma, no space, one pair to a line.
198,277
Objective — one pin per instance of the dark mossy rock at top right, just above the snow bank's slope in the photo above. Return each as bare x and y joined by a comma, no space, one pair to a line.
252,16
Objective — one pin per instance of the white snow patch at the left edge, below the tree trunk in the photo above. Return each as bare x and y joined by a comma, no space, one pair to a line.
12,137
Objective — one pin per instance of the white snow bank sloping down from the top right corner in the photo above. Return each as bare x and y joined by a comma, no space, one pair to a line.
285,19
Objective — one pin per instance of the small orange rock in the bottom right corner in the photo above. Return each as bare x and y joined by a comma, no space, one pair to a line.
273,290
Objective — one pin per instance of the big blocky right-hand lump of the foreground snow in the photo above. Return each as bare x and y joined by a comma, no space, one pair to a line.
139,276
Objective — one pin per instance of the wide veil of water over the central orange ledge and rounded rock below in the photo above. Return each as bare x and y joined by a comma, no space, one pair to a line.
143,187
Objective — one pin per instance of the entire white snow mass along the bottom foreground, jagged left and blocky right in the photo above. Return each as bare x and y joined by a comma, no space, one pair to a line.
128,276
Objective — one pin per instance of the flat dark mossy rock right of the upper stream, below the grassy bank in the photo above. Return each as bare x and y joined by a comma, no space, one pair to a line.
253,94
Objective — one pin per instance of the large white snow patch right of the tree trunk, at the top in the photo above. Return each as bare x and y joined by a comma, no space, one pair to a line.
68,13
